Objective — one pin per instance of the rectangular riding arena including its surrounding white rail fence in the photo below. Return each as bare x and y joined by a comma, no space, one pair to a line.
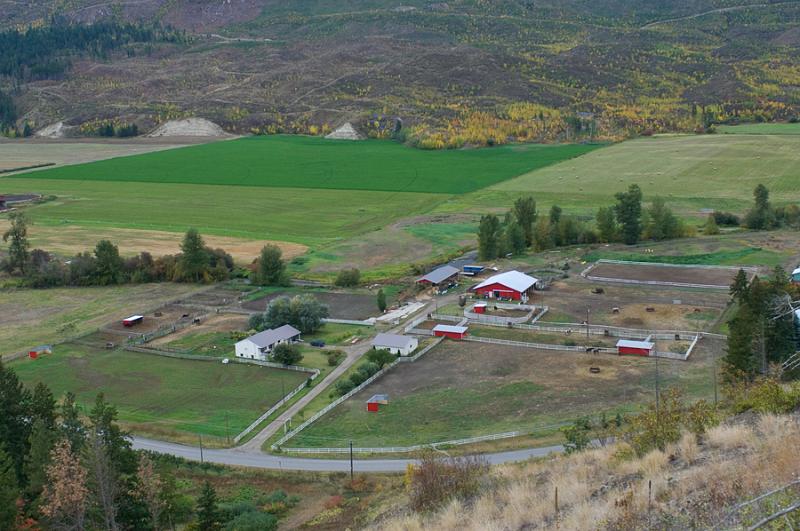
656,274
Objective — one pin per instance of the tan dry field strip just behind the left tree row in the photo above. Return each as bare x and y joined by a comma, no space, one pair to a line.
73,239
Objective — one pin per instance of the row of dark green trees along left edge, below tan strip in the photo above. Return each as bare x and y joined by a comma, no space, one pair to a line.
104,266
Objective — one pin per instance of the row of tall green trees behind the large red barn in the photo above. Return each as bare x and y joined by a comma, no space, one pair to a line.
626,221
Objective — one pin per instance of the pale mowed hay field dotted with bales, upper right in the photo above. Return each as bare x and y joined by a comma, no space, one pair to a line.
693,172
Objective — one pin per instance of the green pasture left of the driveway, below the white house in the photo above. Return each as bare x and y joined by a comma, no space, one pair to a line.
162,396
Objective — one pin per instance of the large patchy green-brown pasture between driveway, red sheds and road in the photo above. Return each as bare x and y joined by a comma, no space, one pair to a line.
468,389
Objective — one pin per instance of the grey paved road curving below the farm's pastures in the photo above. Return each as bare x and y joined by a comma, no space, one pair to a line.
235,457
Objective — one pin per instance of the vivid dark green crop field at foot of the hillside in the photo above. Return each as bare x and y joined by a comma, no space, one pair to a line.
309,162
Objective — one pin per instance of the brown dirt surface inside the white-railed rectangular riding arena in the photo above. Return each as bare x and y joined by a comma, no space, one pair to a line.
657,273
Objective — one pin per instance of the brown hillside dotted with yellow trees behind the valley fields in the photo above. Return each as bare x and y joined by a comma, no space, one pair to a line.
466,71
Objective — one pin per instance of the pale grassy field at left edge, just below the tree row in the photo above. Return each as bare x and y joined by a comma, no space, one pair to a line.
33,317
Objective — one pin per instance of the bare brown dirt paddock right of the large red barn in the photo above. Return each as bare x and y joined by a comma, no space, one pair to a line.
569,299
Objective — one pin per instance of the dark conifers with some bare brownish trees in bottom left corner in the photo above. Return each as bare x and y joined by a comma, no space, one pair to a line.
63,469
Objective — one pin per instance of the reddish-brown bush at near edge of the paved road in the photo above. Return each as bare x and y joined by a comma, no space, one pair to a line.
435,480
